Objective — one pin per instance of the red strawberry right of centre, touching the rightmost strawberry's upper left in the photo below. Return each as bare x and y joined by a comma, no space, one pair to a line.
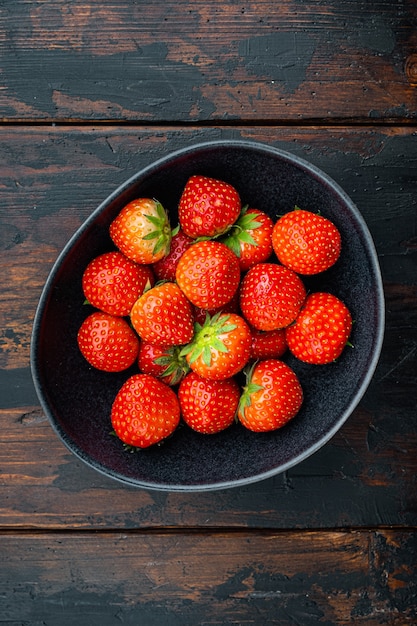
271,296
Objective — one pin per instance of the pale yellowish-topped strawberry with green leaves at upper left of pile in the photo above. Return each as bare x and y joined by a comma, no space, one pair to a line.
142,231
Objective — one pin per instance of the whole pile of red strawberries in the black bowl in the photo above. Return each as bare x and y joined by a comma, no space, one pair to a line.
206,311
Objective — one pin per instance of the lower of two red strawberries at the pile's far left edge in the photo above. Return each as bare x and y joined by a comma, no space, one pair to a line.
107,342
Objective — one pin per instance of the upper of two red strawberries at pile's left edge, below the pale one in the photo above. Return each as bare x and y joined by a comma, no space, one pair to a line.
112,283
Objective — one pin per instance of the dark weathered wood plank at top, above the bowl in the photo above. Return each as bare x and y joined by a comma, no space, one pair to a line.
187,61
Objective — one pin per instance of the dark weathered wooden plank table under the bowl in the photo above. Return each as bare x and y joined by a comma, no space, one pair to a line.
89,94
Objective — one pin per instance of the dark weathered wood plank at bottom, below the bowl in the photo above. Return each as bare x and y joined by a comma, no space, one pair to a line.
287,578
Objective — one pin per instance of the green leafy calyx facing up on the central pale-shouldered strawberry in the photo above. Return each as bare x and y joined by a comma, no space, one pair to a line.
207,338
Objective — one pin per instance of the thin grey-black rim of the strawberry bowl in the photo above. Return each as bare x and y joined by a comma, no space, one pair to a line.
144,172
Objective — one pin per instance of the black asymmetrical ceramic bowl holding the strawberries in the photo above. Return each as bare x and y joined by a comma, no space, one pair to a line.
77,399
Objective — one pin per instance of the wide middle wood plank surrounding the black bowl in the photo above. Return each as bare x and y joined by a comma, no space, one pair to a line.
52,178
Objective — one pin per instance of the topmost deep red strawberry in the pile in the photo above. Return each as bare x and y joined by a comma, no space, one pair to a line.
207,207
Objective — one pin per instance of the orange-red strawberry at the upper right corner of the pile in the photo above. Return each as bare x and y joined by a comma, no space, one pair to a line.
306,242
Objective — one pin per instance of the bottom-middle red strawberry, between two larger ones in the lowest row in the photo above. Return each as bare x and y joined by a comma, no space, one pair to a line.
208,406
